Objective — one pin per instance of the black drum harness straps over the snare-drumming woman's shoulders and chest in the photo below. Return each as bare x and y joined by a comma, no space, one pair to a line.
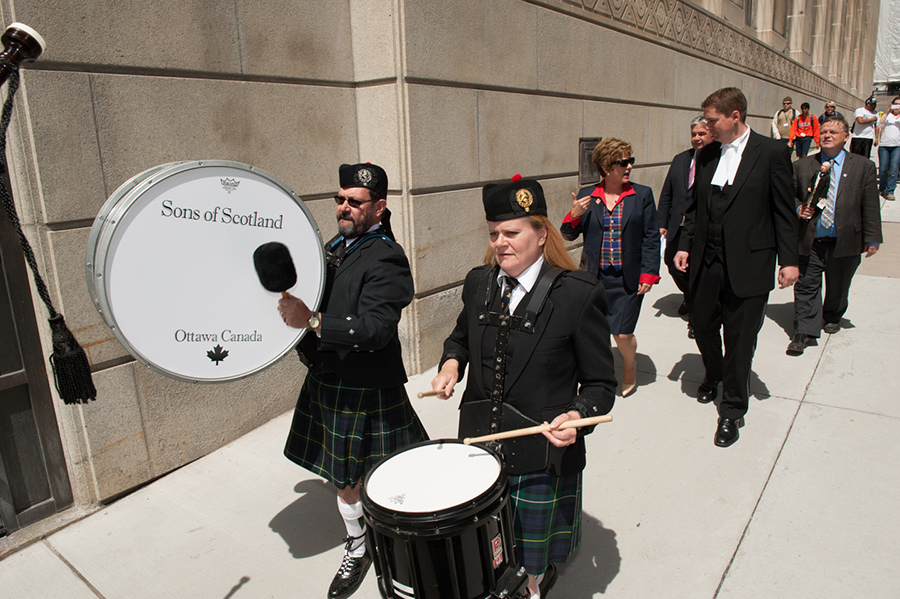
506,323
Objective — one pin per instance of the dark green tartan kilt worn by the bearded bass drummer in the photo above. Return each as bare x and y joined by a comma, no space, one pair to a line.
340,431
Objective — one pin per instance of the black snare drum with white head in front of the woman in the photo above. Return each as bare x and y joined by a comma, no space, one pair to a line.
440,523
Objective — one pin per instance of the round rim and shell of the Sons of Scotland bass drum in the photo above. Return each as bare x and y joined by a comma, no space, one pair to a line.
115,209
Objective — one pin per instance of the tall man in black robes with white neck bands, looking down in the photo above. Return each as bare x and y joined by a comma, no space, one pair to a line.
741,218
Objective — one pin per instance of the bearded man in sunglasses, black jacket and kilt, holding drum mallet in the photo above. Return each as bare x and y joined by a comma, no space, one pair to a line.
353,409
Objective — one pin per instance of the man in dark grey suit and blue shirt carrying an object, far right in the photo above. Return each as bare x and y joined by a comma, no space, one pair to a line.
834,231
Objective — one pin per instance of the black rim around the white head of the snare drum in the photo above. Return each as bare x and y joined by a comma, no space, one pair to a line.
497,491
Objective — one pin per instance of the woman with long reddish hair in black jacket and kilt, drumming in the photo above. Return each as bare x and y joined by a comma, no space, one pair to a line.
534,330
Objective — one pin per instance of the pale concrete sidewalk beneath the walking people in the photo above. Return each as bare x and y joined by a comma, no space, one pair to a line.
804,506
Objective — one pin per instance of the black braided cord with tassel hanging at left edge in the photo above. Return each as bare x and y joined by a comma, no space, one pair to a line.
71,368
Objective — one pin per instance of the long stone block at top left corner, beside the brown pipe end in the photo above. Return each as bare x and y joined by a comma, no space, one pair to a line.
196,35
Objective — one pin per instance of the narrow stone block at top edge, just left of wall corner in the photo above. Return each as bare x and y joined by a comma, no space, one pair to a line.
374,33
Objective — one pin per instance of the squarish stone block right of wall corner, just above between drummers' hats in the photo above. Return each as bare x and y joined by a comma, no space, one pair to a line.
443,136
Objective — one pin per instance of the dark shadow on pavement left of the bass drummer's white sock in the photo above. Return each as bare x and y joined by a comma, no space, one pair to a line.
310,525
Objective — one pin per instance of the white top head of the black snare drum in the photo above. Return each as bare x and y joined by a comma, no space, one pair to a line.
432,477
